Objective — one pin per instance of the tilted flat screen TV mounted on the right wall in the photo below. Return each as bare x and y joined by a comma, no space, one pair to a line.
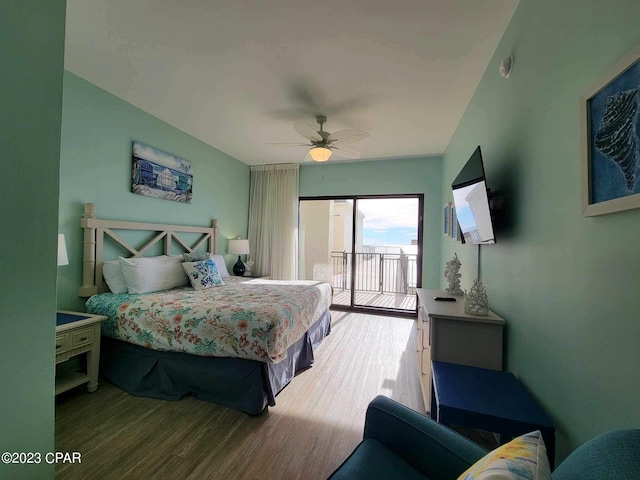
471,199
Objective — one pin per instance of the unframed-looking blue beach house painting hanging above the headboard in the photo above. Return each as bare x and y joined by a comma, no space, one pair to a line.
161,175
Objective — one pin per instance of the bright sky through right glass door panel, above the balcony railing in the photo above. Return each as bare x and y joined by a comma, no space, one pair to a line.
389,221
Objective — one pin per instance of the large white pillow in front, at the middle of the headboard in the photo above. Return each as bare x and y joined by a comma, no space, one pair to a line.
145,275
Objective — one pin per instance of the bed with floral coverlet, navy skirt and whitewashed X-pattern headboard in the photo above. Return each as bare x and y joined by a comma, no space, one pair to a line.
237,344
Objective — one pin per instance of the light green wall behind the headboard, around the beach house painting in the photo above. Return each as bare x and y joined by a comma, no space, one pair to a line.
97,133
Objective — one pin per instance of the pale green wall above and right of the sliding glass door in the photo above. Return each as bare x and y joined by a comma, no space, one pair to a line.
396,176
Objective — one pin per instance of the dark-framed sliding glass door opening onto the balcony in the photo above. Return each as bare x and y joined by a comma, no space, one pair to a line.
368,247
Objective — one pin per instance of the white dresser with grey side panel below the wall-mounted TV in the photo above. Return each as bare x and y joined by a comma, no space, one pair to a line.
445,333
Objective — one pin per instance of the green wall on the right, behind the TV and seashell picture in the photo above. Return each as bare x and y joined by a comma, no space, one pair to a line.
566,285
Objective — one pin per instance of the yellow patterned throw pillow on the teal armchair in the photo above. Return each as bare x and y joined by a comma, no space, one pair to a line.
523,458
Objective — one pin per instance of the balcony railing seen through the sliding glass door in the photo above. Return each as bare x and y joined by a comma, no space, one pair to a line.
376,272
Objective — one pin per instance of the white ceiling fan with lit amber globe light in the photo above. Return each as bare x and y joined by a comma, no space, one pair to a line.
324,144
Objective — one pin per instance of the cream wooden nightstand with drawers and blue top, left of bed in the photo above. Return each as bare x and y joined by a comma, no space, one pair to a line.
77,334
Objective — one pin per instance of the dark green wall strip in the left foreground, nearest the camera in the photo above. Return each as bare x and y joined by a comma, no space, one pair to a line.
31,54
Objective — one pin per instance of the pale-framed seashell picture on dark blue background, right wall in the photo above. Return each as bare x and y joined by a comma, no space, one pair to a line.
610,138
